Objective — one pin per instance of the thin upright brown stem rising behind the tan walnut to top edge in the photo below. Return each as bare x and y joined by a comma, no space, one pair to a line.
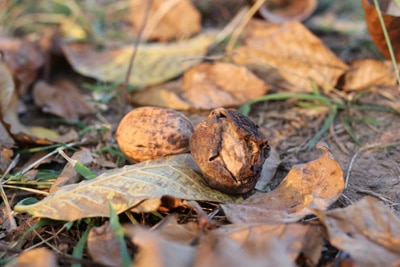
133,56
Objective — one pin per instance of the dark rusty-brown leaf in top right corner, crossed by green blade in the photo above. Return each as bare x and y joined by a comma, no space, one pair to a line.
391,17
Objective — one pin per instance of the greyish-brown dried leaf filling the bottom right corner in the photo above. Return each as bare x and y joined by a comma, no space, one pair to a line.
367,230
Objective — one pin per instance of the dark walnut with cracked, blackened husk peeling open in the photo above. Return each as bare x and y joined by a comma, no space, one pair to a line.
230,151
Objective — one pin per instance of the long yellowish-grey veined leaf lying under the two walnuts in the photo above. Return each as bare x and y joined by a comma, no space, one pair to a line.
125,188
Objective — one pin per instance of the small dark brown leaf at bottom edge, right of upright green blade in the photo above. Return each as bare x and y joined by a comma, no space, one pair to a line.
103,246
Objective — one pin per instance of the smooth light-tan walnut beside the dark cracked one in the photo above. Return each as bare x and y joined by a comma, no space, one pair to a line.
151,132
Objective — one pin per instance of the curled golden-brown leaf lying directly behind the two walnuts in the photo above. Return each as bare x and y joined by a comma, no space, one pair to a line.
205,86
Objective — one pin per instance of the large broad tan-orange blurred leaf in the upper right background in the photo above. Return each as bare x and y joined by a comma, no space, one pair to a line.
289,56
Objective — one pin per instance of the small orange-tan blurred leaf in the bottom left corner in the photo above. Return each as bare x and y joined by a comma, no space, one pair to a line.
38,257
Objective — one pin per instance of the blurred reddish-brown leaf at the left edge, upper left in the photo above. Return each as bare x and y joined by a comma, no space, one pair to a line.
24,60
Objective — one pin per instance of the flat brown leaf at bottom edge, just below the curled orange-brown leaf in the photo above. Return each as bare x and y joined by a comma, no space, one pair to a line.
296,239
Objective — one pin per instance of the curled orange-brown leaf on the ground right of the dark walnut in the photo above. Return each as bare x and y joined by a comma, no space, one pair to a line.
314,185
